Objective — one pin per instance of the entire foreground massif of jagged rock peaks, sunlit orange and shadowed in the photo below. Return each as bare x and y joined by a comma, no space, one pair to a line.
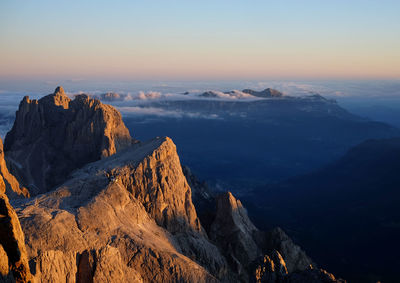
128,216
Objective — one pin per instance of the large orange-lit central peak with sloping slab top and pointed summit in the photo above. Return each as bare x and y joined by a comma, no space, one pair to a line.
127,218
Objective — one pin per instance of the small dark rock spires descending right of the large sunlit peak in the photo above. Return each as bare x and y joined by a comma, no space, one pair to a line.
256,255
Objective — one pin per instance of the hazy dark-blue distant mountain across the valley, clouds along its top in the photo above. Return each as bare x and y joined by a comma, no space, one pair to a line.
278,137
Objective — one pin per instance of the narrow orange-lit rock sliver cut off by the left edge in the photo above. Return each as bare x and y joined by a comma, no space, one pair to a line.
13,256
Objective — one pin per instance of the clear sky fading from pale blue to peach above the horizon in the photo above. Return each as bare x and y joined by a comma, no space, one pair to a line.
189,40
